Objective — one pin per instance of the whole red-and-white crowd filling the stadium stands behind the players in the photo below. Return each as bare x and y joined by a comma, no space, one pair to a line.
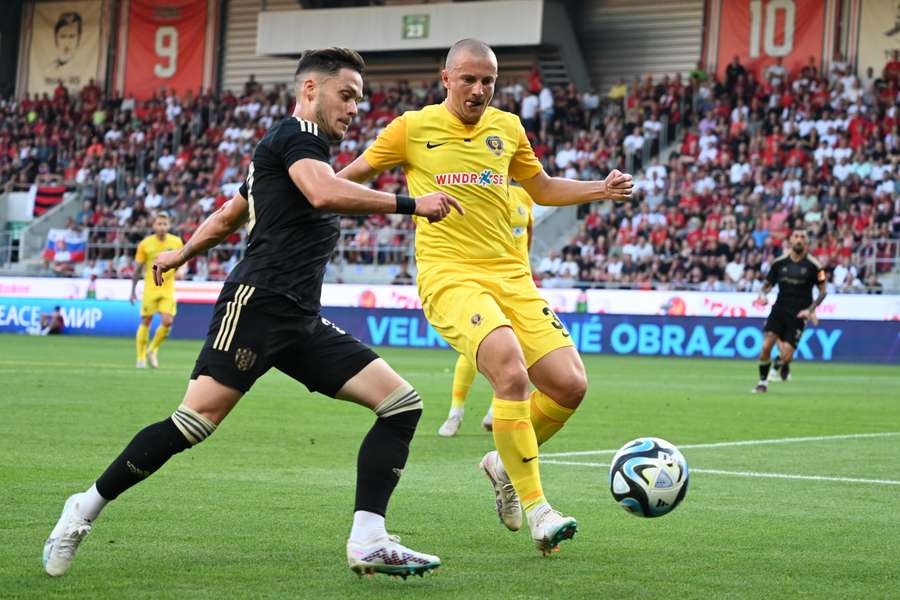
757,158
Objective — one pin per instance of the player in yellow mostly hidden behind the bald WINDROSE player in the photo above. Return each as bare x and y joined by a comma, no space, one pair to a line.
521,221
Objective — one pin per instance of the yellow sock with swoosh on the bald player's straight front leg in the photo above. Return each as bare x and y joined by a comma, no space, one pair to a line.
517,446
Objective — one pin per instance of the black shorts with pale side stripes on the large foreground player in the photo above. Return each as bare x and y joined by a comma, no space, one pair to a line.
253,330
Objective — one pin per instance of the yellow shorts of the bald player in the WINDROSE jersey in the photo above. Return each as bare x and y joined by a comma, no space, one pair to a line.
465,305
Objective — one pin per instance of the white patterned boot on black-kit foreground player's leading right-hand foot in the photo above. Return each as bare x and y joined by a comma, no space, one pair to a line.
386,555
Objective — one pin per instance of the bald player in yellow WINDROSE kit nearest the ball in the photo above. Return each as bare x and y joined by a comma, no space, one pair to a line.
475,288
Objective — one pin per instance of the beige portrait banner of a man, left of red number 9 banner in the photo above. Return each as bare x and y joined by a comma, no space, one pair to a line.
65,45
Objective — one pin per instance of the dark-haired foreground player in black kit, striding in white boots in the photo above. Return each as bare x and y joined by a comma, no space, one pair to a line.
267,315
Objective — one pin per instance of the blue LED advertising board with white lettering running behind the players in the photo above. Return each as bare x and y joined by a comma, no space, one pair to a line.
705,337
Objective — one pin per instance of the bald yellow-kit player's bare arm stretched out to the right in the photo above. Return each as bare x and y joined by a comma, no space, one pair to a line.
559,191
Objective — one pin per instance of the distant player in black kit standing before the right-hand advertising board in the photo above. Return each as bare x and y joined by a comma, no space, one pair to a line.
795,273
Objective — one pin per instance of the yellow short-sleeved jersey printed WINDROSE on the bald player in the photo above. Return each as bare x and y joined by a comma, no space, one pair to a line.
472,163
